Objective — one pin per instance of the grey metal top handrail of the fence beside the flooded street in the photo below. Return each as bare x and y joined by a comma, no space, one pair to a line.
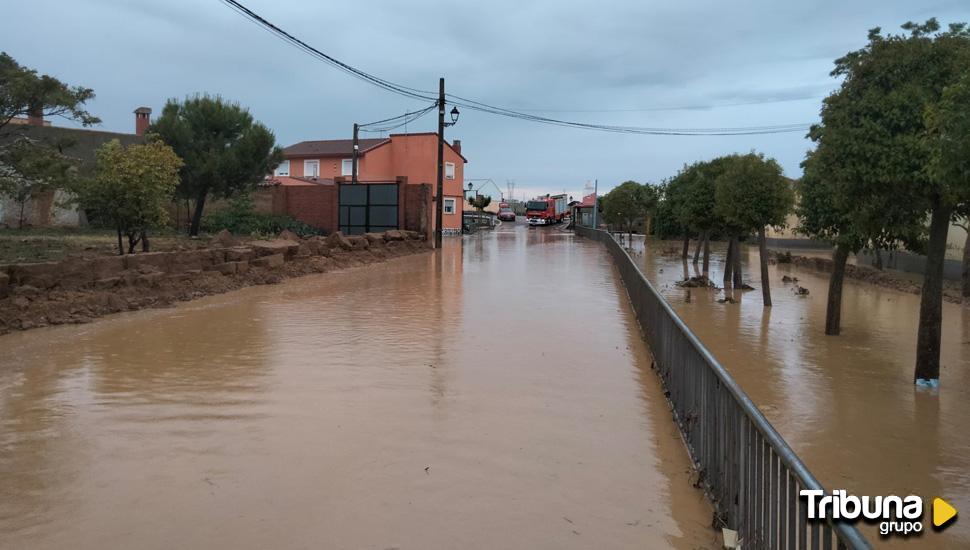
846,532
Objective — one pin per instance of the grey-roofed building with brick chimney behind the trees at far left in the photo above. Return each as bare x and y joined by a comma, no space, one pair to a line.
50,209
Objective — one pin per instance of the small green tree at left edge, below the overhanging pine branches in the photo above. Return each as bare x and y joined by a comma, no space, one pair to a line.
30,168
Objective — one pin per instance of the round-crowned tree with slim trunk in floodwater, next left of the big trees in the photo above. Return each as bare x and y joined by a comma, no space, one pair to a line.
750,194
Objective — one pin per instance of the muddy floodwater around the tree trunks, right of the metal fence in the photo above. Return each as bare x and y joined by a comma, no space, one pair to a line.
846,404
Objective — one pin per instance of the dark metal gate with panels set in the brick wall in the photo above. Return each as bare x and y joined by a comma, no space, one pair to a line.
366,208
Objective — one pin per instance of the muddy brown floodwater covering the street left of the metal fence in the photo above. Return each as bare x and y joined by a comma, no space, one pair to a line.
492,396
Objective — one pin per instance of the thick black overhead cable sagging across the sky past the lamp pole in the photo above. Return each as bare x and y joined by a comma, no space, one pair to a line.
415,93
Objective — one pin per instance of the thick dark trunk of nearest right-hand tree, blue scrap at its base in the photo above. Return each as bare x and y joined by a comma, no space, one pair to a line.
931,302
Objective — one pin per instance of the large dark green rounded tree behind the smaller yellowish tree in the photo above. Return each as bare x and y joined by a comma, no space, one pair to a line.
224,150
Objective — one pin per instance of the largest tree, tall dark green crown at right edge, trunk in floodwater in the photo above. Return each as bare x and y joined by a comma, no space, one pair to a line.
878,125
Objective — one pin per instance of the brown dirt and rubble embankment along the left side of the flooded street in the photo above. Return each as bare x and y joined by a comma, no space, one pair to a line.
81,289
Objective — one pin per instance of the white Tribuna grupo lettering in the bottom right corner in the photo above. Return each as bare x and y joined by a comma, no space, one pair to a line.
894,514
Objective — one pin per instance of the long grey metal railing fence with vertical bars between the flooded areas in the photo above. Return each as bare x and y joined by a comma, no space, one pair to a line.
749,472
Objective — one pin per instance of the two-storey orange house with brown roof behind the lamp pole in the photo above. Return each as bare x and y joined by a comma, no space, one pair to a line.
412,156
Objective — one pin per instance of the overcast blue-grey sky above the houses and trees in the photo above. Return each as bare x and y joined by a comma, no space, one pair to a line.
695,64
